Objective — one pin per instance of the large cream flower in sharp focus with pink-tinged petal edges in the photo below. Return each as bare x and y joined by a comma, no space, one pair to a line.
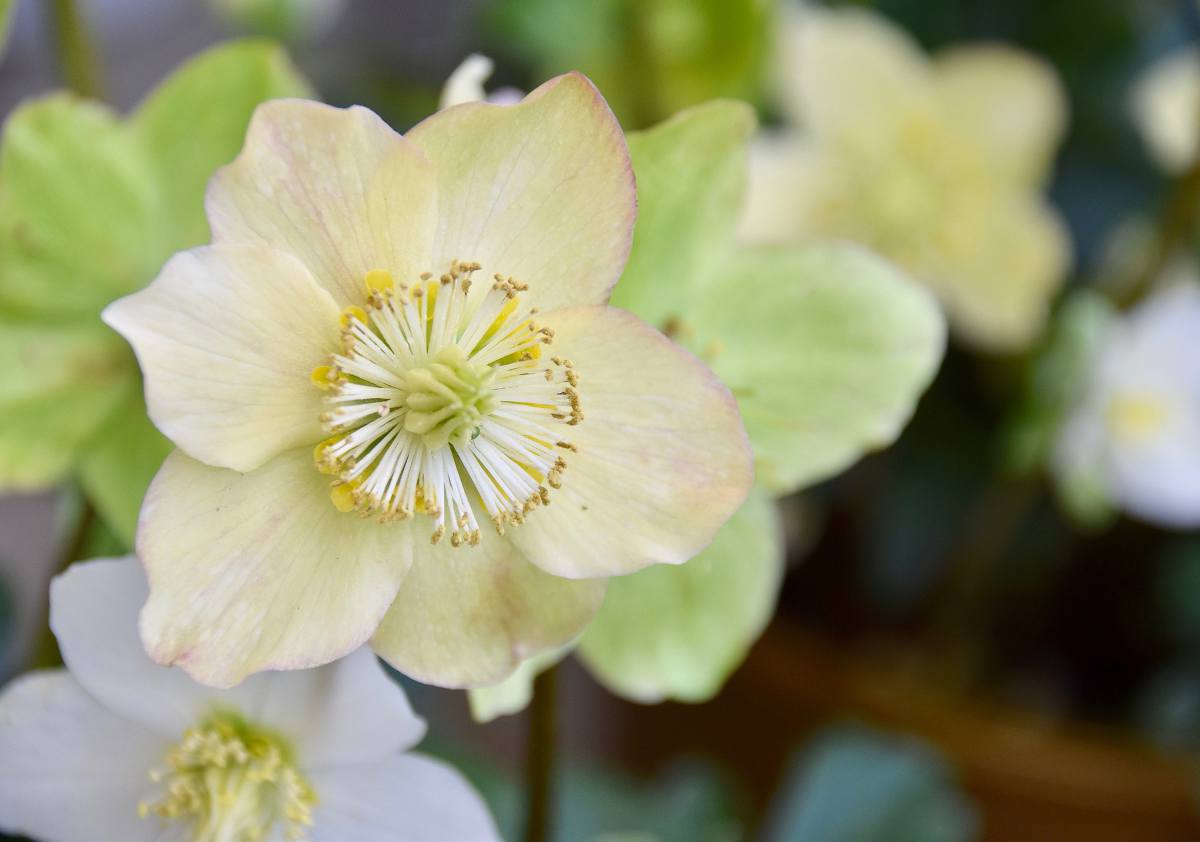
403,406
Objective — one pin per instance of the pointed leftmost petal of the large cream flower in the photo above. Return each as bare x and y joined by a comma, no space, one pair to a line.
227,338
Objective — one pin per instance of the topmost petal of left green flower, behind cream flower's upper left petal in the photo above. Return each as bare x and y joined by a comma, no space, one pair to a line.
196,122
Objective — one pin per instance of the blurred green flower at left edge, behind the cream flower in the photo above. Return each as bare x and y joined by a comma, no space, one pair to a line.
91,207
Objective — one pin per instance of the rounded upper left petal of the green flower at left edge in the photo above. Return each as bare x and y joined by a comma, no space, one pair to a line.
81,214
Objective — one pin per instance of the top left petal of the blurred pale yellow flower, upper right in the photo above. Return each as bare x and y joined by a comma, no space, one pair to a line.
849,73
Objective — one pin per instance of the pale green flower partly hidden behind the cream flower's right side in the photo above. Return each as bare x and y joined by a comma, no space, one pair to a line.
826,350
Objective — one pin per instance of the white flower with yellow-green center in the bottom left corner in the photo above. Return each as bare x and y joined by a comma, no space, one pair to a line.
117,748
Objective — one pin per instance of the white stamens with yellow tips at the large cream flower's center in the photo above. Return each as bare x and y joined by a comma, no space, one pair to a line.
441,401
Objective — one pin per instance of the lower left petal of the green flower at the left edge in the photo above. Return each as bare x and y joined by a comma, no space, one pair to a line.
57,388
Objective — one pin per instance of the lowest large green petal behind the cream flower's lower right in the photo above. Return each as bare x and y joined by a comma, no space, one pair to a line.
679,631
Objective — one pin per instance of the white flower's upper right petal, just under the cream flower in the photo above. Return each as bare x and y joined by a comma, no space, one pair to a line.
345,713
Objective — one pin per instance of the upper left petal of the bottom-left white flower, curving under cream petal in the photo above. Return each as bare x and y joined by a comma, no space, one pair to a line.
94,614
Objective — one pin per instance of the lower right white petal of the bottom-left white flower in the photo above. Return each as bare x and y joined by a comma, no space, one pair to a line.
404,799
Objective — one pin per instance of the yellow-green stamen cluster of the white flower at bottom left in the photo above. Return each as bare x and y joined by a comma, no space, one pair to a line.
233,784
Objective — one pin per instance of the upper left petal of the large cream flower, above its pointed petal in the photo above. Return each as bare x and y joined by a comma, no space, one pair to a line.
337,188
